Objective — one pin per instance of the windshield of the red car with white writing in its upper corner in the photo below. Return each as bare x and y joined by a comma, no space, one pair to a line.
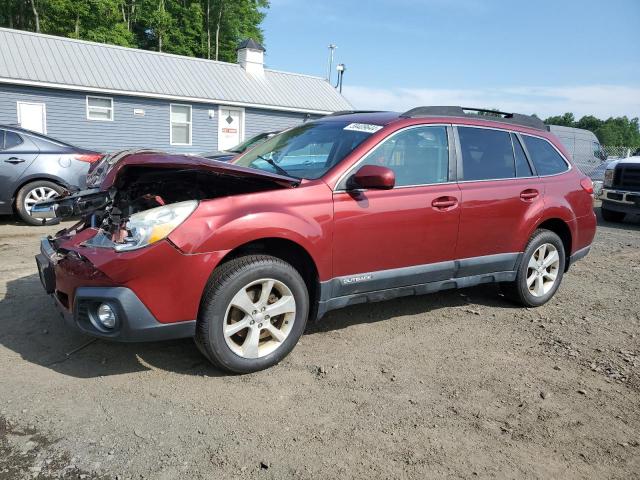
307,151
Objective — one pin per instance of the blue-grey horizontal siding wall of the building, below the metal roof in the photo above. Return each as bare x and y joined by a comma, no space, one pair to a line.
67,120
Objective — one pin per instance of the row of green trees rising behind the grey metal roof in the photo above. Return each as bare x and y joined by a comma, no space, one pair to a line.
201,28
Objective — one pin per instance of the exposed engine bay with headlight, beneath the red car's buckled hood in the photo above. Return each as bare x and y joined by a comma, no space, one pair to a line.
118,212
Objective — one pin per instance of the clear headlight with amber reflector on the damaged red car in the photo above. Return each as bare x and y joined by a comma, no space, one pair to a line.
153,225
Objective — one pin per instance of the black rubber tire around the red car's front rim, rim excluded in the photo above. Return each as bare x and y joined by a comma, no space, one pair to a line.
223,285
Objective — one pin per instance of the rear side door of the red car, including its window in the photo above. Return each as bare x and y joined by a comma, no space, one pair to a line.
501,198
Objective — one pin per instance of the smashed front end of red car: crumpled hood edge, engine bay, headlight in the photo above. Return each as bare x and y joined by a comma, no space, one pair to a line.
144,196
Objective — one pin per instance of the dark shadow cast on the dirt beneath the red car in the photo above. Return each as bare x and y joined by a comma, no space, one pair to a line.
31,326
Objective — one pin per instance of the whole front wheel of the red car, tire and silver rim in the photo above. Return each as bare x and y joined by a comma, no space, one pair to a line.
252,314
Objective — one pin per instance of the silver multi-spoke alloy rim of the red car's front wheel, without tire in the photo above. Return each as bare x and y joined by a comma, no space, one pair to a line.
259,318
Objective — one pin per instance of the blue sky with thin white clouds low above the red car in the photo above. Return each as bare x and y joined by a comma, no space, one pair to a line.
537,56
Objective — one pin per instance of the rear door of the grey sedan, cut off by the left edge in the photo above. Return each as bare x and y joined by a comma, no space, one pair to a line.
17,152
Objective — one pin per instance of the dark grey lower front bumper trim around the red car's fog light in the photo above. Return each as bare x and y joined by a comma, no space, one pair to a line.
135,323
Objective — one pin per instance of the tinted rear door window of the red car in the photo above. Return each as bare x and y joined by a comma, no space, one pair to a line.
486,154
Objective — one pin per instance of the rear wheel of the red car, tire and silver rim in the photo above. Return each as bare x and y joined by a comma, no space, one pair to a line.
540,271
